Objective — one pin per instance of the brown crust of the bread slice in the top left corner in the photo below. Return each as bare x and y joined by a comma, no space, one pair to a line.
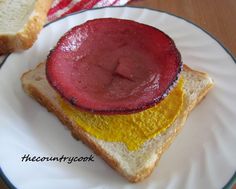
26,37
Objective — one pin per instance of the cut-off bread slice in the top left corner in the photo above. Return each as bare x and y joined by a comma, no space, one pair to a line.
20,23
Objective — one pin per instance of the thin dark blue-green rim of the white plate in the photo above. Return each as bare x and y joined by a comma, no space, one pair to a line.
233,178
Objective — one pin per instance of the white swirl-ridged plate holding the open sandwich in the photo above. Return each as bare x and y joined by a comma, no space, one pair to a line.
202,156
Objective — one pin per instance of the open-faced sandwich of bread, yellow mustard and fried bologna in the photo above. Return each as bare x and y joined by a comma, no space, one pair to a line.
121,88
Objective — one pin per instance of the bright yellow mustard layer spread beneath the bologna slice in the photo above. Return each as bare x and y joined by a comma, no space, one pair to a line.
133,129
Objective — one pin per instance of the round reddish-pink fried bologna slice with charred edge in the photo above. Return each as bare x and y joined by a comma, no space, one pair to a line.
114,66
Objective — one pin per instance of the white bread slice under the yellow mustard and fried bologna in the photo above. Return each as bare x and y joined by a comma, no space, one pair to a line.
134,165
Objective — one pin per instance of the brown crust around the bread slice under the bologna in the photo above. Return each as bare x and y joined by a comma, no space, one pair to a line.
79,133
